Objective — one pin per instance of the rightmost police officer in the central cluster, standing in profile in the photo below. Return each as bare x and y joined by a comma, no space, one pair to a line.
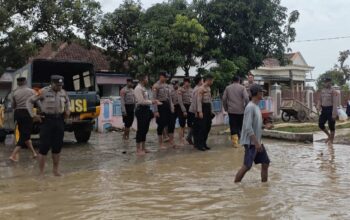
204,114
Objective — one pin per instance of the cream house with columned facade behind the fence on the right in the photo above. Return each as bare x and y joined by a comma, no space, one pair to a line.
291,76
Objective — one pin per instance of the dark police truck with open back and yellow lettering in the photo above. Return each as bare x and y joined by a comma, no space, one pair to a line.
80,84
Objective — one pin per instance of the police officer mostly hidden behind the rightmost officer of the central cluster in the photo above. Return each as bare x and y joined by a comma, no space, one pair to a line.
192,110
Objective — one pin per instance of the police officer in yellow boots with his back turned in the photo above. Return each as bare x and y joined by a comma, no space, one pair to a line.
234,99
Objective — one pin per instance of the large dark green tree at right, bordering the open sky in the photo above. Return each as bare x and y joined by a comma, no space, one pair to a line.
253,29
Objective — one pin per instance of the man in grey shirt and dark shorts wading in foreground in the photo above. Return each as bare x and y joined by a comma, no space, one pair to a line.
251,137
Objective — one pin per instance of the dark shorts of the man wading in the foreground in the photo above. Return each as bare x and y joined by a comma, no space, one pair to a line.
251,155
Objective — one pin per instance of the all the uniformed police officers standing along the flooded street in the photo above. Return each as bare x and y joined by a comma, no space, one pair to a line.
168,103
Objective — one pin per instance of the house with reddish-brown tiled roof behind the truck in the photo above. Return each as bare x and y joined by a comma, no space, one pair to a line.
108,81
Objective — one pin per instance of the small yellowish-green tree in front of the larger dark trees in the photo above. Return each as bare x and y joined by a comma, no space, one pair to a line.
190,38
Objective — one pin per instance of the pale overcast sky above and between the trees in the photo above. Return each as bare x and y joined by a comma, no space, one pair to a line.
318,19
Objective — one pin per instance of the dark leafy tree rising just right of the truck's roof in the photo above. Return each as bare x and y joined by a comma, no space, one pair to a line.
118,33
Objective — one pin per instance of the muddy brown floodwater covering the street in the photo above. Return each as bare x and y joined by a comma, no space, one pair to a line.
105,180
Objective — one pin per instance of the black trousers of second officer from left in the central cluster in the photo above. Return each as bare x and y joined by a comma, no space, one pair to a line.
143,116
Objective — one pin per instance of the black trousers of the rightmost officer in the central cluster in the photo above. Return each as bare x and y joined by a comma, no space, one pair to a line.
202,126
